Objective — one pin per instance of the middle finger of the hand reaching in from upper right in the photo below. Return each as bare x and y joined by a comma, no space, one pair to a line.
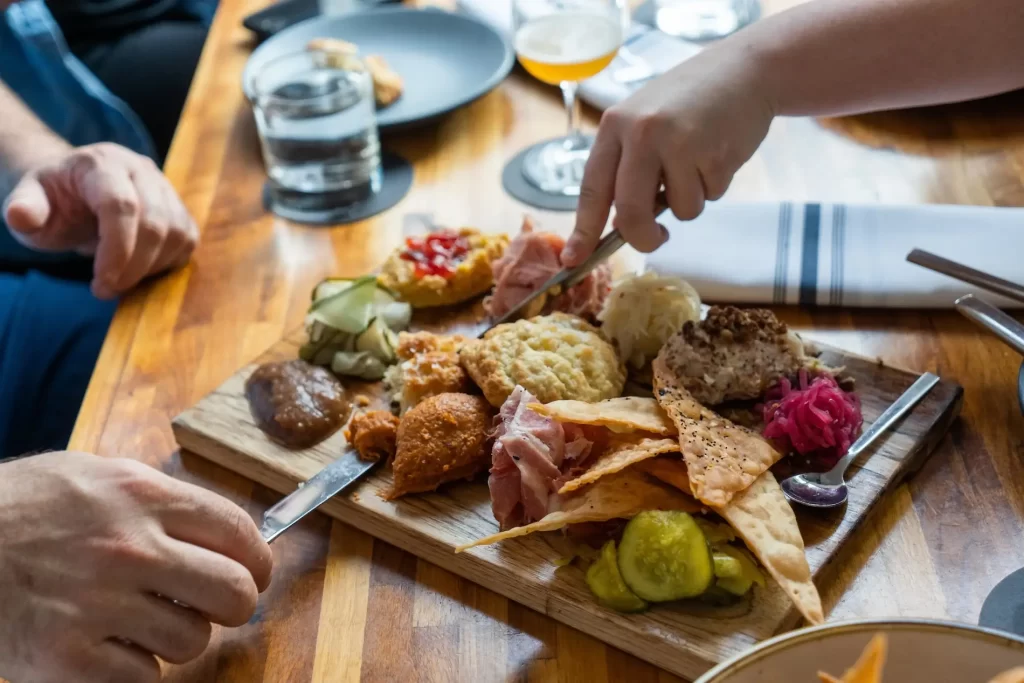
637,183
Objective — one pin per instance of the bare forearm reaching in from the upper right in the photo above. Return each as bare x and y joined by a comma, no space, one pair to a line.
847,57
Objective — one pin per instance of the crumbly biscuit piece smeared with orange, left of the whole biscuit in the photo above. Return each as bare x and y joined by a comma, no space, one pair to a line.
430,367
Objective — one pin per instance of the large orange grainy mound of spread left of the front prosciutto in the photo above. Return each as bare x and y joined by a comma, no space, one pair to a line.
443,440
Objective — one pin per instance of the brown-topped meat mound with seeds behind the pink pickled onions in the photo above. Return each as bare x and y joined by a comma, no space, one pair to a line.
734,355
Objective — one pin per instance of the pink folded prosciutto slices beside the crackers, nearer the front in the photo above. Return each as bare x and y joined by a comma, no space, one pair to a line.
531,457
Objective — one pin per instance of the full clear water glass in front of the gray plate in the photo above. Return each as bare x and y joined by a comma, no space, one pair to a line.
318,127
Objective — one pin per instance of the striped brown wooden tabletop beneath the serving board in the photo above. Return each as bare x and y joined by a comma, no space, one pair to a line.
344,608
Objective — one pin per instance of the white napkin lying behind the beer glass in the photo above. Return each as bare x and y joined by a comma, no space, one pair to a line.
647,49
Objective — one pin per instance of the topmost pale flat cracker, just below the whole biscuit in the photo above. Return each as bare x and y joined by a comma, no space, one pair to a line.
628,414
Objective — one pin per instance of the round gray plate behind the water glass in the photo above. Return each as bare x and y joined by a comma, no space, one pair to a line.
447,61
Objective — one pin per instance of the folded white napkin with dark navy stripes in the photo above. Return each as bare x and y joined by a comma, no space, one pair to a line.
840,255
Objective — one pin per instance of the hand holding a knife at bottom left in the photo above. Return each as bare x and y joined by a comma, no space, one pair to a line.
93,553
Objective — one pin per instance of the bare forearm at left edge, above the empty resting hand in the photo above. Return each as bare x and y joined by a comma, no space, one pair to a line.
25,141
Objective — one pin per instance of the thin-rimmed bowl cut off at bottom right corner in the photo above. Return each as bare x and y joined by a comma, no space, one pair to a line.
920,652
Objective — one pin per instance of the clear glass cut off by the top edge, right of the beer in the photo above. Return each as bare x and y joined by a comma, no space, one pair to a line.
704,20
